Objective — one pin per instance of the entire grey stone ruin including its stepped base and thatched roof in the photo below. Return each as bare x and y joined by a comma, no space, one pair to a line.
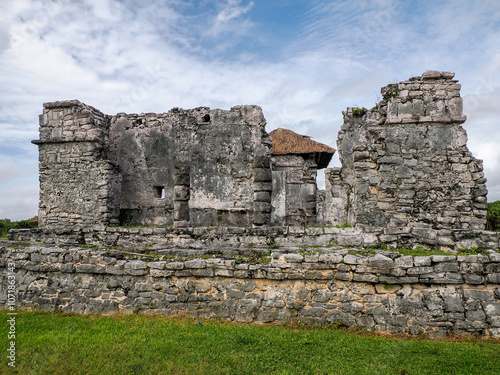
201,212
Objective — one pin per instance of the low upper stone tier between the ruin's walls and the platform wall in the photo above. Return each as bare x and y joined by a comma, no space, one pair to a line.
242,238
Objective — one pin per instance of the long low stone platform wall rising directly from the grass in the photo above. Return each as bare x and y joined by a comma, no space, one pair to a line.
435,295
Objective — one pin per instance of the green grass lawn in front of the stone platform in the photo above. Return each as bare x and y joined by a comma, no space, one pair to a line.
139,344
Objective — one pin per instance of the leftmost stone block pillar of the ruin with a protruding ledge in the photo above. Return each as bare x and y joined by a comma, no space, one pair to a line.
78,185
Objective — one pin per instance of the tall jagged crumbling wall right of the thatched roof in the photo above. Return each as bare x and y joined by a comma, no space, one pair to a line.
406,162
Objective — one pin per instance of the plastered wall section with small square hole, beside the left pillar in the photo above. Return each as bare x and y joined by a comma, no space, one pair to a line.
193,167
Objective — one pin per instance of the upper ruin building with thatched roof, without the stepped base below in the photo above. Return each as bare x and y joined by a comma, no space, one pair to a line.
405,163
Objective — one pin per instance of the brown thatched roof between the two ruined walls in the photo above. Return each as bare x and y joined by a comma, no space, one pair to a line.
288,142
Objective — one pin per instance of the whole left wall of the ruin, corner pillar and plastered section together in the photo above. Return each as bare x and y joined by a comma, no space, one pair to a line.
196,167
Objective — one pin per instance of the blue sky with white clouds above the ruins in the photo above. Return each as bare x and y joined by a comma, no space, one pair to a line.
302,61
